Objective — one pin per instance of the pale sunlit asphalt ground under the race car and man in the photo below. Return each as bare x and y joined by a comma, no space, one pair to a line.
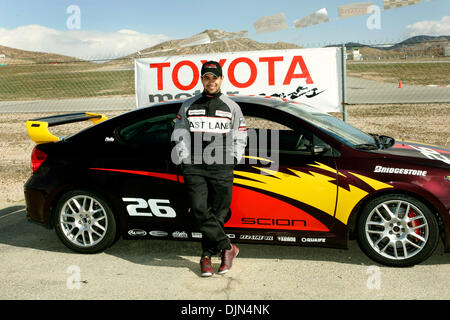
34,264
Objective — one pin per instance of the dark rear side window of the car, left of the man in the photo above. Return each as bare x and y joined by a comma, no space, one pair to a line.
150,132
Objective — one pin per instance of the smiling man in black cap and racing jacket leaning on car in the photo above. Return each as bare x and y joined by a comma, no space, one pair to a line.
213,141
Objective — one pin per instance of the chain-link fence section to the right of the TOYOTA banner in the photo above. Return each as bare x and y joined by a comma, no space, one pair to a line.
407,79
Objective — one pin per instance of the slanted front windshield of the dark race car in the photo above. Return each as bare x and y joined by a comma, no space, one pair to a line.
339,129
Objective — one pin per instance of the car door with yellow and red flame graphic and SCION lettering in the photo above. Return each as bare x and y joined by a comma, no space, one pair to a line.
287,184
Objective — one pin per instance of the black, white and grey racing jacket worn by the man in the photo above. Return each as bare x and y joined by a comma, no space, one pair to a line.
210,129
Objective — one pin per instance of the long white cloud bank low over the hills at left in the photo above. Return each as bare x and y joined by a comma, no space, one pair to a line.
78,43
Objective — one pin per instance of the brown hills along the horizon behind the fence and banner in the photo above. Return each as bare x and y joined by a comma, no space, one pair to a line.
212,40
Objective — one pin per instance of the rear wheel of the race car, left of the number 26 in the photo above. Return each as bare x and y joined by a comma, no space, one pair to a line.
84,222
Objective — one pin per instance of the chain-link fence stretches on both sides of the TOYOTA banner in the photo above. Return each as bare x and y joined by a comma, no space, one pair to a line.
373,76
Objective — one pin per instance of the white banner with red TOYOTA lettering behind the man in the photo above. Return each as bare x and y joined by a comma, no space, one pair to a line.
312,76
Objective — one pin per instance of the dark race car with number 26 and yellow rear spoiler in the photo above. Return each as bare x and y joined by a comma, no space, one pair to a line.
306,179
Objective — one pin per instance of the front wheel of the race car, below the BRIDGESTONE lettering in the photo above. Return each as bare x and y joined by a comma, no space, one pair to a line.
397,230
